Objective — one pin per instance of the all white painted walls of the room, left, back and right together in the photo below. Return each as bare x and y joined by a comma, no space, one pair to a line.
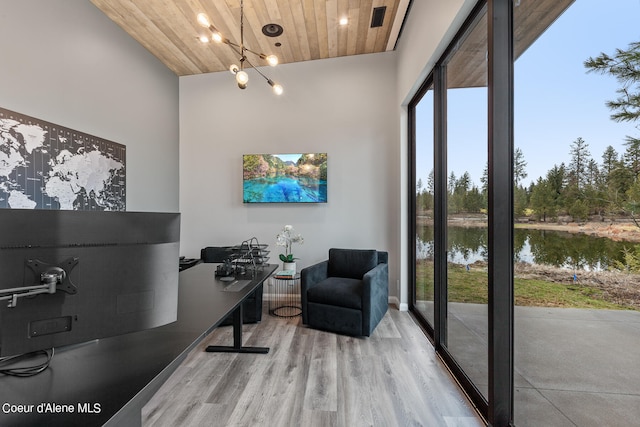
65,62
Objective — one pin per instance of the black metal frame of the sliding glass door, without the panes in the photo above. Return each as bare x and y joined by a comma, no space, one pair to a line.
498,408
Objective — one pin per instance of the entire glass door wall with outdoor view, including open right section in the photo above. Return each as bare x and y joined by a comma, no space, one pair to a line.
539,326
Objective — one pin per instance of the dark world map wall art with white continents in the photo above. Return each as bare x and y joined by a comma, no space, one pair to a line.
46,166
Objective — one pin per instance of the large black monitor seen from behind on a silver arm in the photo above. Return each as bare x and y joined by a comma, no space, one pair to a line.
114,273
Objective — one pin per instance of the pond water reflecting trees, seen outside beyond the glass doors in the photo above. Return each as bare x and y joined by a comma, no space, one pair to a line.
556,248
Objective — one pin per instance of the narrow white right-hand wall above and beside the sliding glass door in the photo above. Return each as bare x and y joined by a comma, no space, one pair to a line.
428,29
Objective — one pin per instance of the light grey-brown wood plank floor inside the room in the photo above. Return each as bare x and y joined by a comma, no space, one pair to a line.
314,378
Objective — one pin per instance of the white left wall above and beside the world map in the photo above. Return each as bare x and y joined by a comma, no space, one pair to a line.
65,62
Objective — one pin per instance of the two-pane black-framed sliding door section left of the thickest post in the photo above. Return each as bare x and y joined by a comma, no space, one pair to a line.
449,155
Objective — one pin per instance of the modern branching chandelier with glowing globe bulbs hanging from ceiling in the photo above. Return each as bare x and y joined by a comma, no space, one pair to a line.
242,78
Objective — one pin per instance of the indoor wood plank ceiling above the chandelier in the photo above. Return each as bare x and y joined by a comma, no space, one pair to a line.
170,31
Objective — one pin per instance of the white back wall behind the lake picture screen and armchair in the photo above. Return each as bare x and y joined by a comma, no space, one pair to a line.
345,107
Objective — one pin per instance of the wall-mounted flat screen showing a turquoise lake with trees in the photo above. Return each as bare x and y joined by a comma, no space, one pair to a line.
284,178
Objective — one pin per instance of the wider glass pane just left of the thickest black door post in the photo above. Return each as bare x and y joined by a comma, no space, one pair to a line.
466,202
